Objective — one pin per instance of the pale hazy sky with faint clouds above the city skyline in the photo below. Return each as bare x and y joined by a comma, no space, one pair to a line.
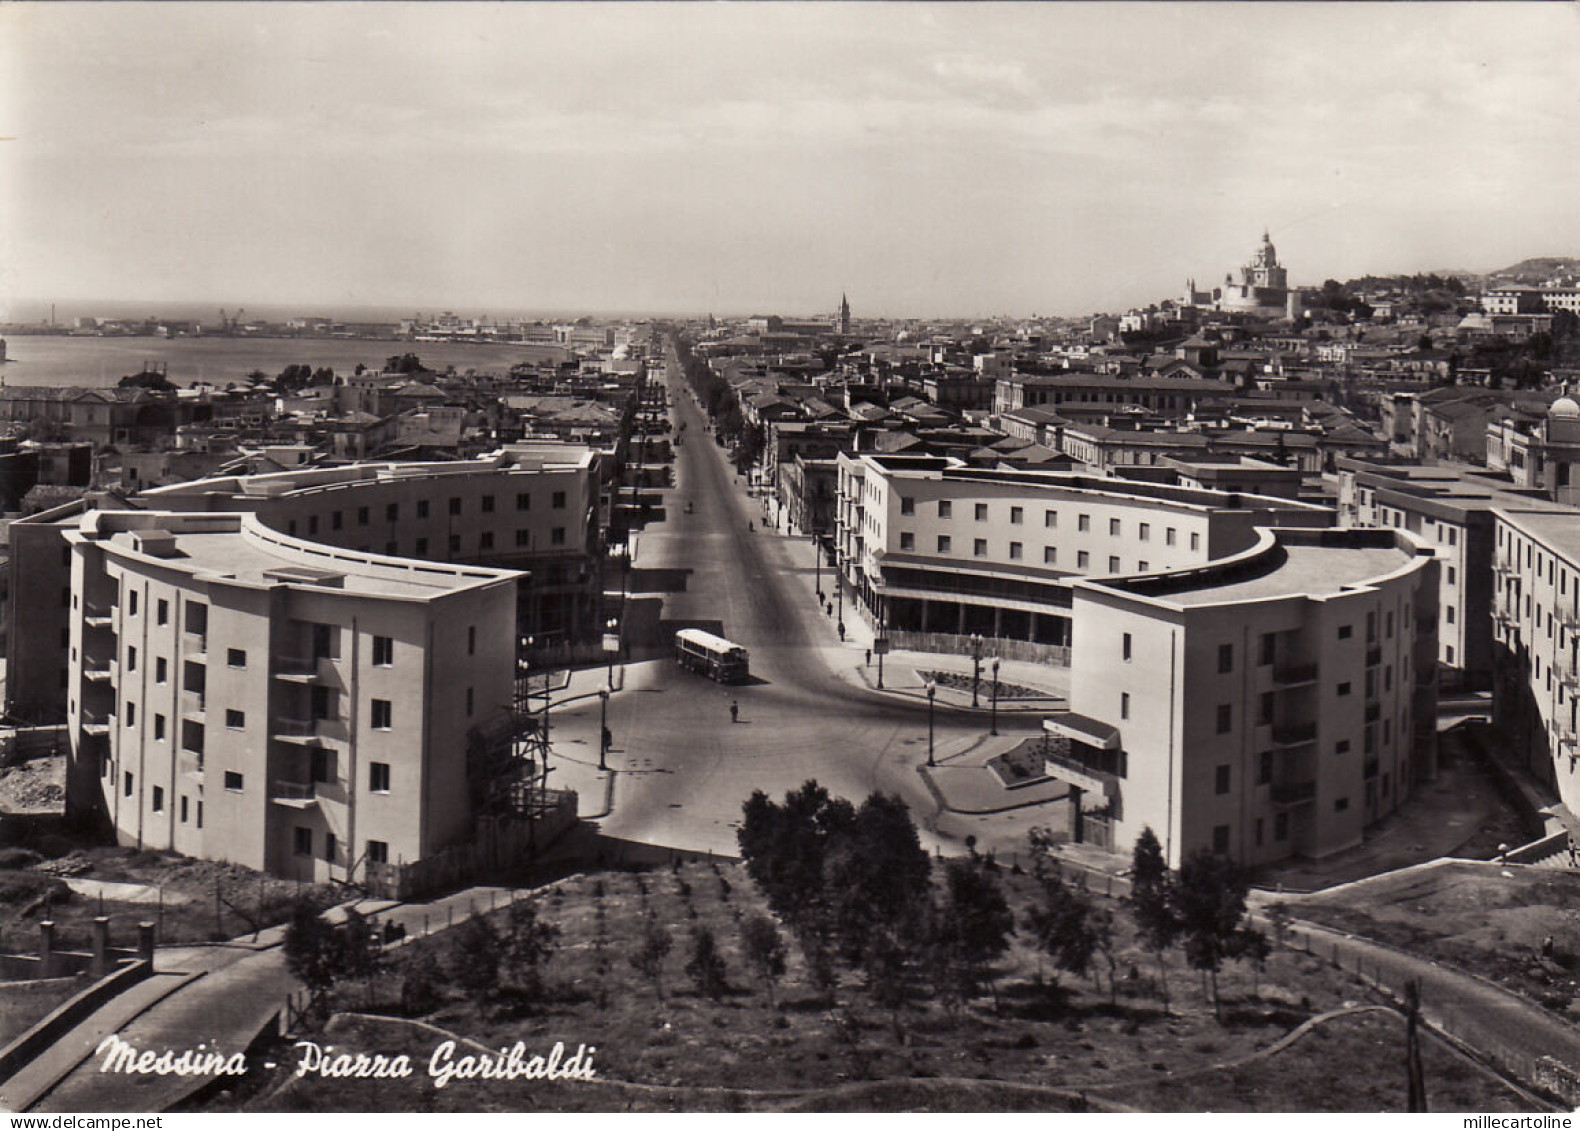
764,157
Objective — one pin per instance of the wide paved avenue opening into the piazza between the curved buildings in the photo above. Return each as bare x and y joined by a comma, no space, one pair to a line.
691,767
